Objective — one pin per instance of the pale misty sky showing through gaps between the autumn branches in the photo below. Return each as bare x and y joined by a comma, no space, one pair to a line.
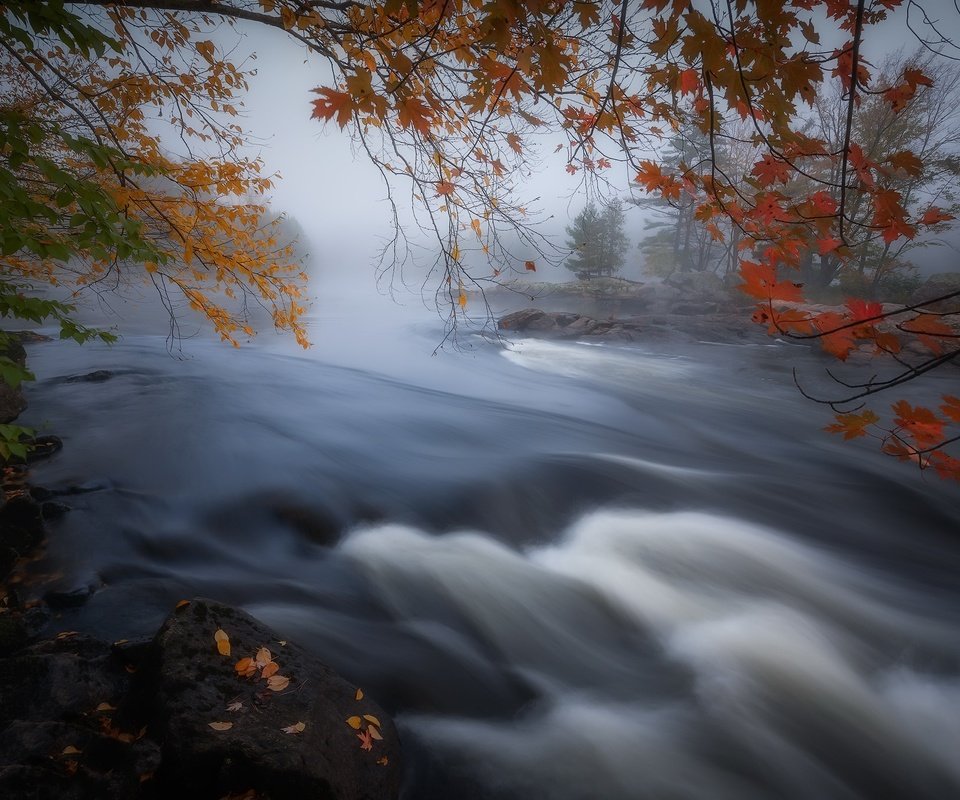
339,198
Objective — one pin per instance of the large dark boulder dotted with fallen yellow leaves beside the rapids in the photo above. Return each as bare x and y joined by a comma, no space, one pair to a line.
195,685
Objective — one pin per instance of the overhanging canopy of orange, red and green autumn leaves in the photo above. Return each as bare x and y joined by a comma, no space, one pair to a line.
448,99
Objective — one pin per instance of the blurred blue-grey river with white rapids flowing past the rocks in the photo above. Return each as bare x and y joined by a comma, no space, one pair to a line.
570,572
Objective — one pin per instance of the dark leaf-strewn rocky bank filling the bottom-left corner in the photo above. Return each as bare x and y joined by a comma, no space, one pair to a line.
215,705
